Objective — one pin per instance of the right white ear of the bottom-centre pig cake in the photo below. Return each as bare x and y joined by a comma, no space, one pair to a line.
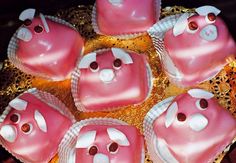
118,137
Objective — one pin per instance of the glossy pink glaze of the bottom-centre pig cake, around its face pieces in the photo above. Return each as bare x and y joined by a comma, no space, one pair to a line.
125,154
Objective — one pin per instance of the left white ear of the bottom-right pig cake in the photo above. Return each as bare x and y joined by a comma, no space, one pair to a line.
171,114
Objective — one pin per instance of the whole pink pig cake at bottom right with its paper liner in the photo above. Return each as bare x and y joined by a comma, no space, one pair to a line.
191,127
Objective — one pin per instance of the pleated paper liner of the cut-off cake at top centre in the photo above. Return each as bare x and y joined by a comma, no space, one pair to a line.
123,35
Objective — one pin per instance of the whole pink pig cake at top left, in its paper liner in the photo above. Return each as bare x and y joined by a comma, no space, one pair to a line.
45,46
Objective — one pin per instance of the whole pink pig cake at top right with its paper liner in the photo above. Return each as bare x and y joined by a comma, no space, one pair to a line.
193,47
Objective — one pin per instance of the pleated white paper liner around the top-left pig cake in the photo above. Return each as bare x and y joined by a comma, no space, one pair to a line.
13,46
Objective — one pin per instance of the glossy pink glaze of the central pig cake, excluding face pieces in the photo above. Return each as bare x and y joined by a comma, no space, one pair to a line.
129,86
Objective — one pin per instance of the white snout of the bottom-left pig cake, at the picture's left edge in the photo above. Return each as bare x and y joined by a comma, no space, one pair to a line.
8,132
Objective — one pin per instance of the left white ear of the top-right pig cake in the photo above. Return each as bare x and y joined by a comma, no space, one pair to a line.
180,25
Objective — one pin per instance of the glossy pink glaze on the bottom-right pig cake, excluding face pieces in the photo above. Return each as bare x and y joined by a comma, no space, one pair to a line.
187,145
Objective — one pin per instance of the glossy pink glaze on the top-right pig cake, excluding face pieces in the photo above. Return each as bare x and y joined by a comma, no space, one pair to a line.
198,59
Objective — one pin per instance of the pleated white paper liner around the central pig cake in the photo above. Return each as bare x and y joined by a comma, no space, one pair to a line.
75,77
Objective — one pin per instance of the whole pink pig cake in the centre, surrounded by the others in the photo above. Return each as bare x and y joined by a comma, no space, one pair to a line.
110,78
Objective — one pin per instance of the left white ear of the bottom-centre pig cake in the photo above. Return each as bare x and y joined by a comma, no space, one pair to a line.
86,139
